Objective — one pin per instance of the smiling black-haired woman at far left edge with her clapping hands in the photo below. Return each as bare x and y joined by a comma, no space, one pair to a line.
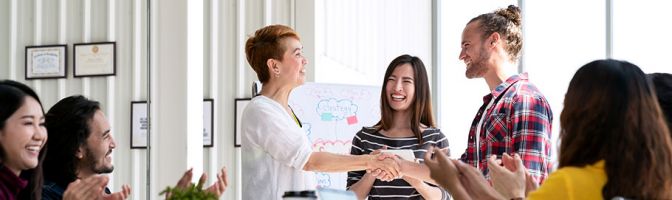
22,148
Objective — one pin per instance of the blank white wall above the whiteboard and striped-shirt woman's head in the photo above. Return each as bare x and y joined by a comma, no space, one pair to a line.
356,40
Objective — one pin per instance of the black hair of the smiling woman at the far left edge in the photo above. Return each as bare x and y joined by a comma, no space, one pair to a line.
12,96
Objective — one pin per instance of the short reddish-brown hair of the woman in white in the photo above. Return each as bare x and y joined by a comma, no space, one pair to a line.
264,45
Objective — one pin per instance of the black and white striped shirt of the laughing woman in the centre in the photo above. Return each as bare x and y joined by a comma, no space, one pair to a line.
368,139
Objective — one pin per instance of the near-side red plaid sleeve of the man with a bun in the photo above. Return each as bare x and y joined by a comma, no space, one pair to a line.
531,121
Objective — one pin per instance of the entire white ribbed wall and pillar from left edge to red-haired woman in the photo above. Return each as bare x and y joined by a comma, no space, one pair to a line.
226,74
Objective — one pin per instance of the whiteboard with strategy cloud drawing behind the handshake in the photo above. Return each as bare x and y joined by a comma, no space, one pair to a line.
331,115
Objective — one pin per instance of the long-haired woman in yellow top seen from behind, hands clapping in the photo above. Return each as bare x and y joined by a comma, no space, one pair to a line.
614,144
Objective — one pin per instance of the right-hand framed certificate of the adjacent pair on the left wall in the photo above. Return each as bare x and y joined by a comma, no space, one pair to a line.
95,59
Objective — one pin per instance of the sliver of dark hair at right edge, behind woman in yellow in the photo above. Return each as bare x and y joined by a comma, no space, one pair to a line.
662,82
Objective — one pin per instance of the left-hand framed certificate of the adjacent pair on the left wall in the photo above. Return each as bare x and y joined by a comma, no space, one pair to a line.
46,62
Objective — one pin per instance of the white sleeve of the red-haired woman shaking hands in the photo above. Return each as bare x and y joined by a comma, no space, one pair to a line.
268,129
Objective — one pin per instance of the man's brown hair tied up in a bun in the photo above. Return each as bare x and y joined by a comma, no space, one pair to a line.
507,22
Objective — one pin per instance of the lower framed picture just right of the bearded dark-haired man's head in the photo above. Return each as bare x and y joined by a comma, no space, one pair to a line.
139,124
